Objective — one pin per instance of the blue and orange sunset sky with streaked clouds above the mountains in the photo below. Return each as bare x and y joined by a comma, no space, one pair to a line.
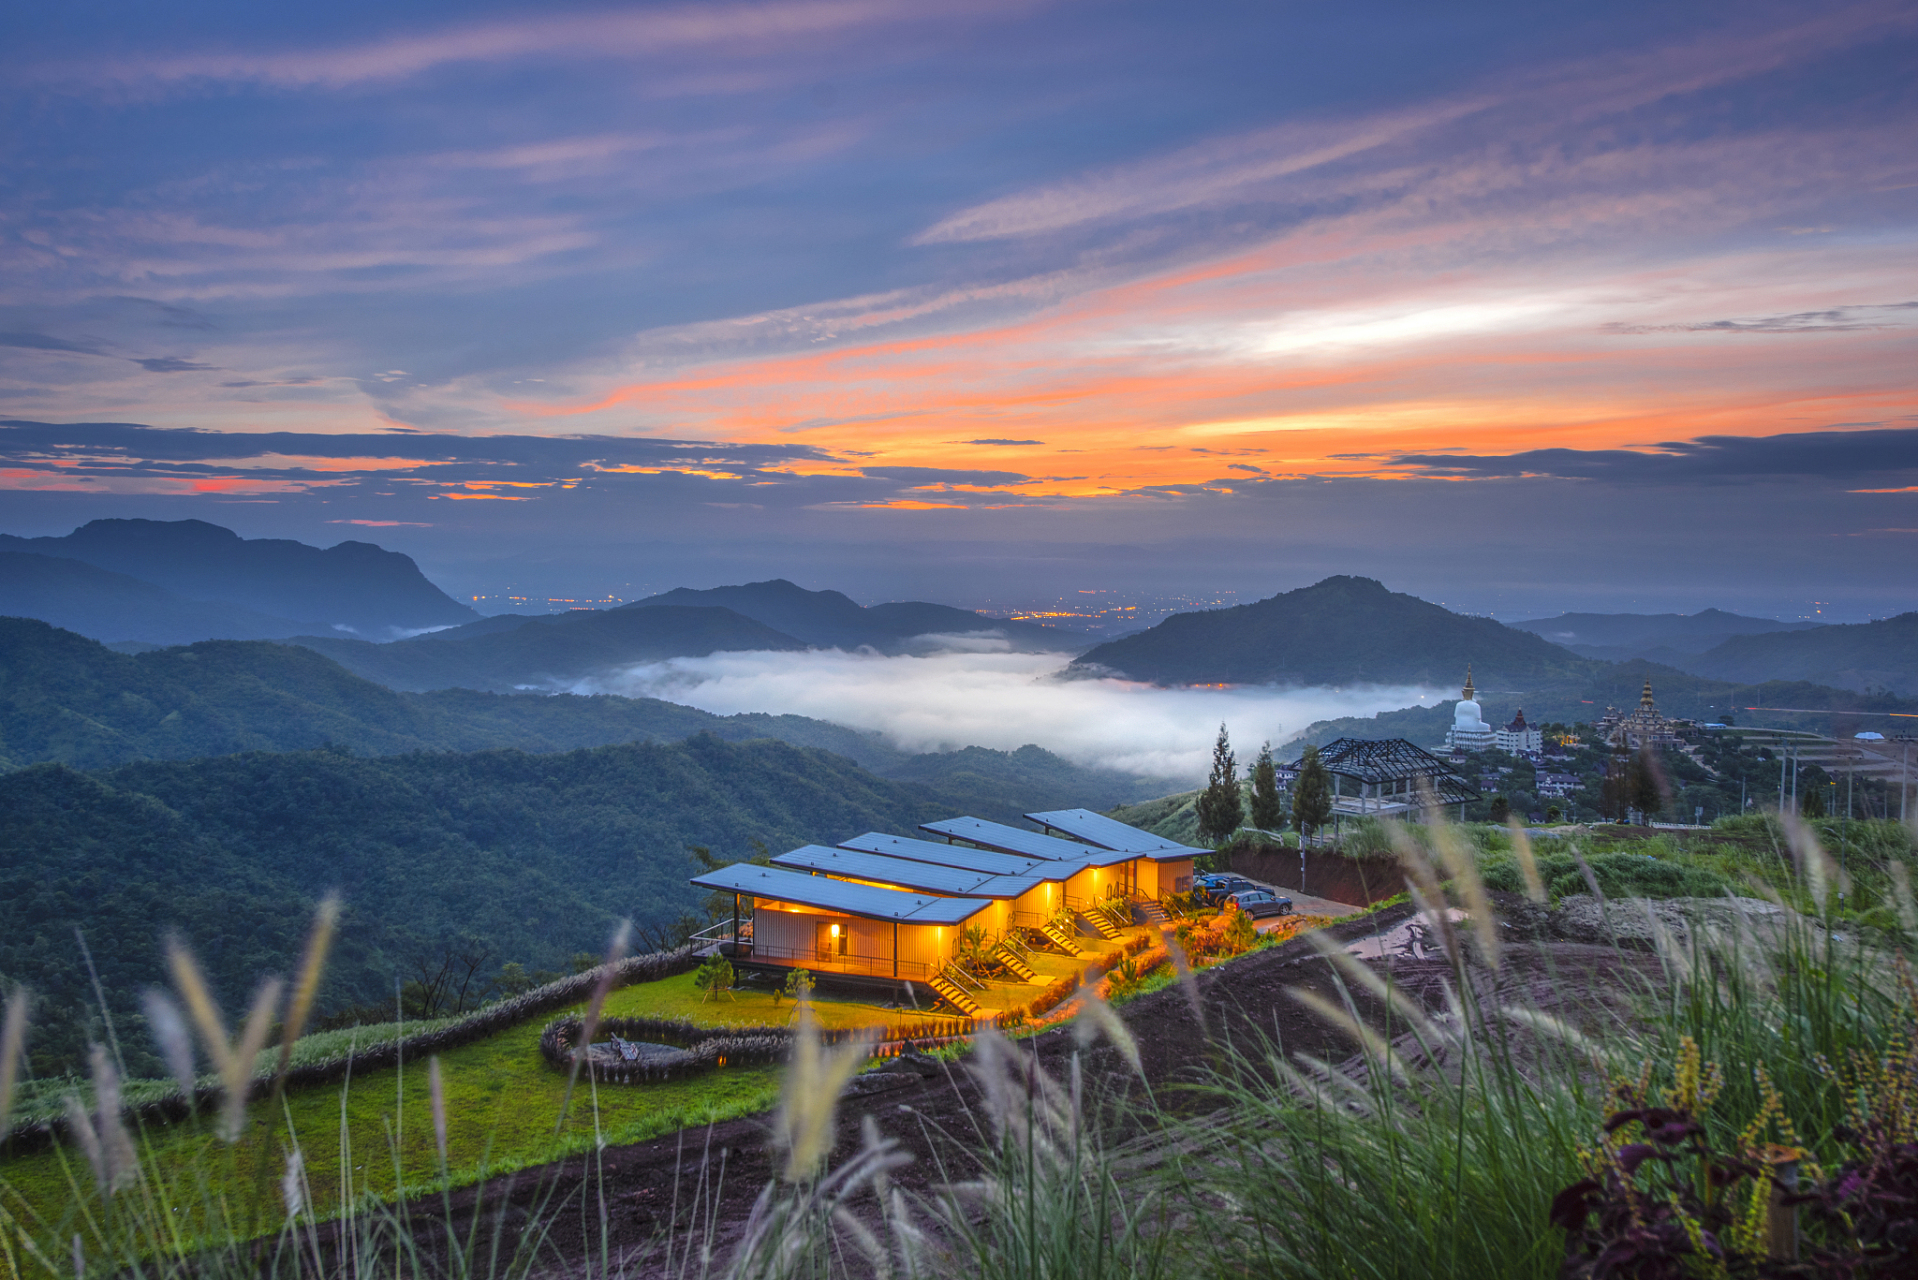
1516,308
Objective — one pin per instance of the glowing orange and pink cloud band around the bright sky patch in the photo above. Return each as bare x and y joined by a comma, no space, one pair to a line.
1321,356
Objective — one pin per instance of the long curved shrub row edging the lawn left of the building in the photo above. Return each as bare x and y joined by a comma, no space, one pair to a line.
576,989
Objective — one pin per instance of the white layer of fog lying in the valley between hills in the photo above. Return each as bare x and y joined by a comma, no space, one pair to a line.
952,699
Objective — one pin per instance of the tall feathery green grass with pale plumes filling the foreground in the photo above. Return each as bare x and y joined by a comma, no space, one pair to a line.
1472,1091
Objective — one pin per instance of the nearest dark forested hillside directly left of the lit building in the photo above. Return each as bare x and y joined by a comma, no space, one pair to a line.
534,855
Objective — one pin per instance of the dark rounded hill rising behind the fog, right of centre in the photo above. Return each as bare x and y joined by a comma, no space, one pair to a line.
1338,632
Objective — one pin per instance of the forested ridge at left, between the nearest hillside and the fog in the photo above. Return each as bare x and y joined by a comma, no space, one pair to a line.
70,699
